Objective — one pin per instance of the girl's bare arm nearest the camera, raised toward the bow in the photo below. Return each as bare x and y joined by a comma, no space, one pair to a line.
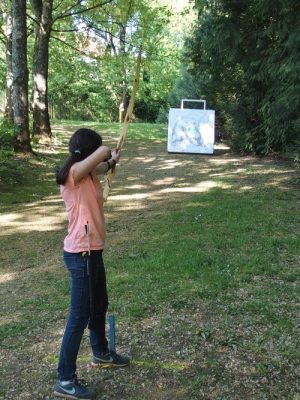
86,166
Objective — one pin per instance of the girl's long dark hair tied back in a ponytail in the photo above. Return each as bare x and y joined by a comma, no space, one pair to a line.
81,144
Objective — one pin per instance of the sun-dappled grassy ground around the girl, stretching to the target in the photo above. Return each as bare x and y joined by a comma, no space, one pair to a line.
202,263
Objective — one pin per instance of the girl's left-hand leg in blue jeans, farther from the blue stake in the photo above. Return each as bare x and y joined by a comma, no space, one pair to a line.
78,317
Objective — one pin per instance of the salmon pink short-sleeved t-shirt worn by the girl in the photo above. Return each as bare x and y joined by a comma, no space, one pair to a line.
84,205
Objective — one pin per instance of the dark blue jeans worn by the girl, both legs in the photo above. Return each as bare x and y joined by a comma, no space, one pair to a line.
80,313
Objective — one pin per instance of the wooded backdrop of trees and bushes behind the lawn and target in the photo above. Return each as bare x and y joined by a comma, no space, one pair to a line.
75,60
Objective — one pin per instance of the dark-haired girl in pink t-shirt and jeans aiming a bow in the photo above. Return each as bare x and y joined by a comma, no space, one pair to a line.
82,194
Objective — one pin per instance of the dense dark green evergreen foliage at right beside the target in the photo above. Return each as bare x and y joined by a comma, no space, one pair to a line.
244,56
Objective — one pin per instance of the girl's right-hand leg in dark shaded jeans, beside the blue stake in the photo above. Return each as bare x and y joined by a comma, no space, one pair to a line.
98,339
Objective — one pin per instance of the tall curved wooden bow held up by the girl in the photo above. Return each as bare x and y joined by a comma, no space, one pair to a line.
111,173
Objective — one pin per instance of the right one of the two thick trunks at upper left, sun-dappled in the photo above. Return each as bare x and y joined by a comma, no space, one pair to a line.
40,107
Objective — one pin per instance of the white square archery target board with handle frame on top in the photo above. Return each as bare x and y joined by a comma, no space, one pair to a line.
191,130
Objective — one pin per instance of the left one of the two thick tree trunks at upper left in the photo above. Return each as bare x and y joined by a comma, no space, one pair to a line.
20,76
